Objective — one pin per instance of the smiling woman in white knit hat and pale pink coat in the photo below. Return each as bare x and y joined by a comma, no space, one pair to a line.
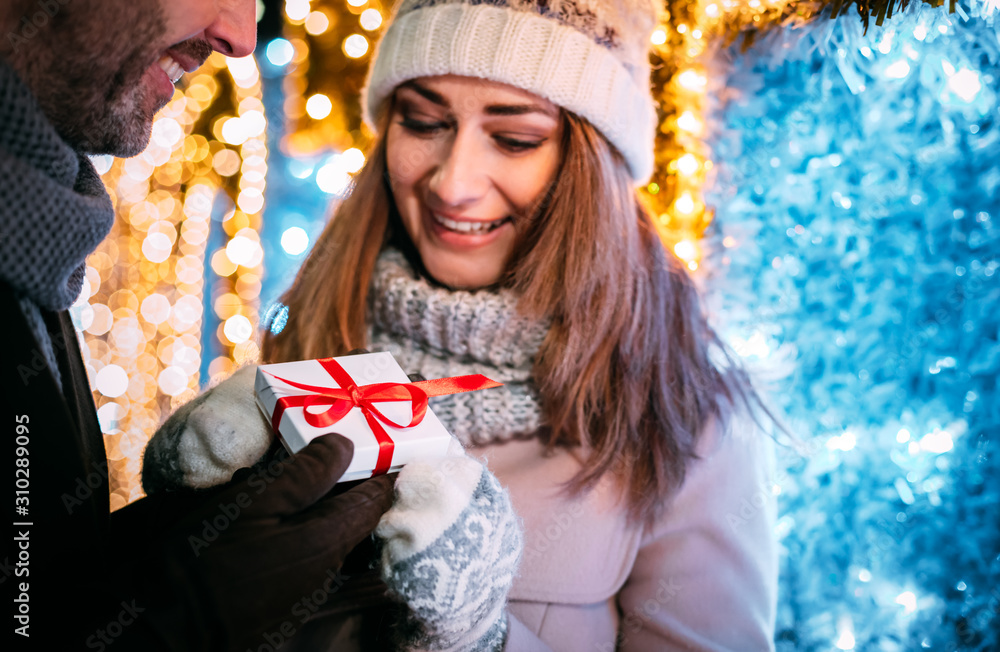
496,229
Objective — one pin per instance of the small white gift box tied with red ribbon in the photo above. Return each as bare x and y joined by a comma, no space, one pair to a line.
429,438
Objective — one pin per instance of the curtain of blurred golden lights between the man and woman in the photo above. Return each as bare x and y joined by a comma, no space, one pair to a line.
141,308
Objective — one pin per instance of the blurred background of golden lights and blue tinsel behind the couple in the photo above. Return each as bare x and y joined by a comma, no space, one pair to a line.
829,172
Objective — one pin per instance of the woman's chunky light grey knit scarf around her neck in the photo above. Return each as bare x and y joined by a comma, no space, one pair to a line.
438,332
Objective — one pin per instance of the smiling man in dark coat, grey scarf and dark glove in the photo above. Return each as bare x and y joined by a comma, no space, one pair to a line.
226,569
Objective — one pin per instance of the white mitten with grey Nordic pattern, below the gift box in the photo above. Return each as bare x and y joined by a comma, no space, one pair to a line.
452,543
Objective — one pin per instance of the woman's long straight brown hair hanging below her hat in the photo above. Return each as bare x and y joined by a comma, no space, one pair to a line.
625,370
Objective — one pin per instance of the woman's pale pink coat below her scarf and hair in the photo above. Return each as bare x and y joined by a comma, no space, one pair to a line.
703,577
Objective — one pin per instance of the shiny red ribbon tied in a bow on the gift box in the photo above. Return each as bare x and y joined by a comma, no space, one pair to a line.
349,395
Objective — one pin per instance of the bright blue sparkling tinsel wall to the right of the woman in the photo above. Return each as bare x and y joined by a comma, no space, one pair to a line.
858,253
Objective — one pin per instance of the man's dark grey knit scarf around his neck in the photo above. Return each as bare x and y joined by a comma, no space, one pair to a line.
54,210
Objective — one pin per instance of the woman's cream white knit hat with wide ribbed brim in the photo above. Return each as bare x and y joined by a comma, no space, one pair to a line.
590,57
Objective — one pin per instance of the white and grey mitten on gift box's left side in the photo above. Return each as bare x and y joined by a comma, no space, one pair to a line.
207,440
